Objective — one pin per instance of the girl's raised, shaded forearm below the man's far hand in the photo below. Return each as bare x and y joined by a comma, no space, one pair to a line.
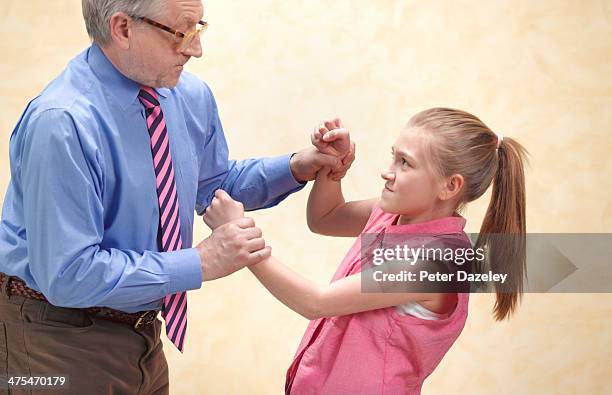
325,196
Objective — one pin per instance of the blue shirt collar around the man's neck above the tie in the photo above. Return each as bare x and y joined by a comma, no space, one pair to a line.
123,89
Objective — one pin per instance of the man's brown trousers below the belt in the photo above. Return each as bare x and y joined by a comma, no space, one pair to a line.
97,356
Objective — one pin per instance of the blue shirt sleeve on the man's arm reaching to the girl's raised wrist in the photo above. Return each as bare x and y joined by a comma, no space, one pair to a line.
257,183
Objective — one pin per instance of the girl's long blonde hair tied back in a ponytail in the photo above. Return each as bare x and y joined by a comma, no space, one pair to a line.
462,144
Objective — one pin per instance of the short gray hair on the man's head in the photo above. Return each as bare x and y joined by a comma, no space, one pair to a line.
97,14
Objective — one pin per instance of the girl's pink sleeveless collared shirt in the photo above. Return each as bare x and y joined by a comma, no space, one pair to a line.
378,351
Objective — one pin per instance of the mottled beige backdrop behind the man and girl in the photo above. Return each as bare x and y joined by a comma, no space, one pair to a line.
538,71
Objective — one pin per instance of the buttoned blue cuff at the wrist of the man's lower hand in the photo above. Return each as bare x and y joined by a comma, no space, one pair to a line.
184,269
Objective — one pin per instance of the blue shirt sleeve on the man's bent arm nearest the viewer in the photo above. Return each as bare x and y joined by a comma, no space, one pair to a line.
63,182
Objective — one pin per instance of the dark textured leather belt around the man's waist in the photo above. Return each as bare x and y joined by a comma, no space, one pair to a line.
139,320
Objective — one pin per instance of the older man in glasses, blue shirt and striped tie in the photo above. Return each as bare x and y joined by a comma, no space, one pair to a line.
108,165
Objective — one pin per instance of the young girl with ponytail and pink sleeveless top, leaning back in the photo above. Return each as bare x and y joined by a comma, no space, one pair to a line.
388,343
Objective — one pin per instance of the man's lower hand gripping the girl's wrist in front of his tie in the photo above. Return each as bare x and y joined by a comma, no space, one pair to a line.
231,247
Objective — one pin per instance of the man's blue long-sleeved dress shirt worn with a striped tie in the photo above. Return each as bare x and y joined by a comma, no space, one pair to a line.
80,217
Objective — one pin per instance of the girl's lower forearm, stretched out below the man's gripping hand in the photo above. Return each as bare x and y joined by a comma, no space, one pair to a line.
299,294
